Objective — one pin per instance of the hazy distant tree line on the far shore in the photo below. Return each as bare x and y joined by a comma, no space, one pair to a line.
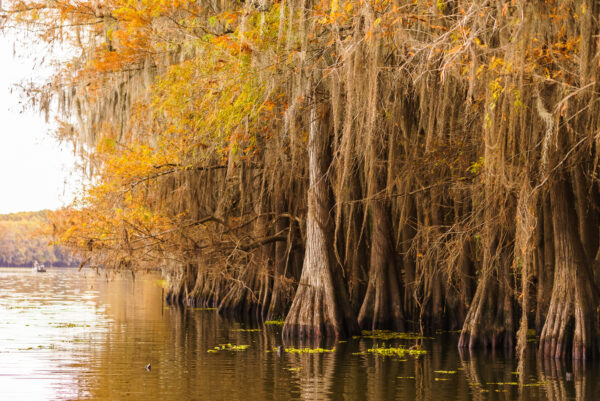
22,242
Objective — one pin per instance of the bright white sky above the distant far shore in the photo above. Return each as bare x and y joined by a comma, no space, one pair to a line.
36,172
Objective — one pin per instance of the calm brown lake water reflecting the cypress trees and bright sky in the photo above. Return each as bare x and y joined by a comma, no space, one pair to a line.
67,335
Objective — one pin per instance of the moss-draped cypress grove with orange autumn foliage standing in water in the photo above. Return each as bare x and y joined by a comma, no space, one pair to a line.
344,164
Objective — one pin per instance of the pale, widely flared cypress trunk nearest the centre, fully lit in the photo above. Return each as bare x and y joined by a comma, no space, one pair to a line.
320,306
